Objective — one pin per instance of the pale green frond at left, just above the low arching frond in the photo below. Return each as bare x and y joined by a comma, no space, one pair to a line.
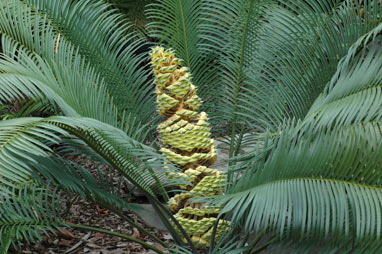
37,77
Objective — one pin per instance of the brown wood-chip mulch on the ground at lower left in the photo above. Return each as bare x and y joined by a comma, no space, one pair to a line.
73,241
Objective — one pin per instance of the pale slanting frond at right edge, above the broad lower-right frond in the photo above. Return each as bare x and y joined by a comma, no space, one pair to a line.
353,96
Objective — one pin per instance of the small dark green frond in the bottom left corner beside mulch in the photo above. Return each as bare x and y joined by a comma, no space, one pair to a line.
28,213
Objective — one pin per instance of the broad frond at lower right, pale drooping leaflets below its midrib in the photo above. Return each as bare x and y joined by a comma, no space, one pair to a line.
314,184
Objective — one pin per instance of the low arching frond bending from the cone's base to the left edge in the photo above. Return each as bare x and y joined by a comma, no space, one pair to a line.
122,152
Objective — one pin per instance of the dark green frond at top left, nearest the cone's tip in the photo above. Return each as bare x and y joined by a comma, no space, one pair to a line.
104,37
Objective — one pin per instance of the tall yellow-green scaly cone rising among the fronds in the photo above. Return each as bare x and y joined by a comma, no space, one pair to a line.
187,139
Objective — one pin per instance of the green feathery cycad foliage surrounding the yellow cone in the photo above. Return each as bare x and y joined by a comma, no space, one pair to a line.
292,87
